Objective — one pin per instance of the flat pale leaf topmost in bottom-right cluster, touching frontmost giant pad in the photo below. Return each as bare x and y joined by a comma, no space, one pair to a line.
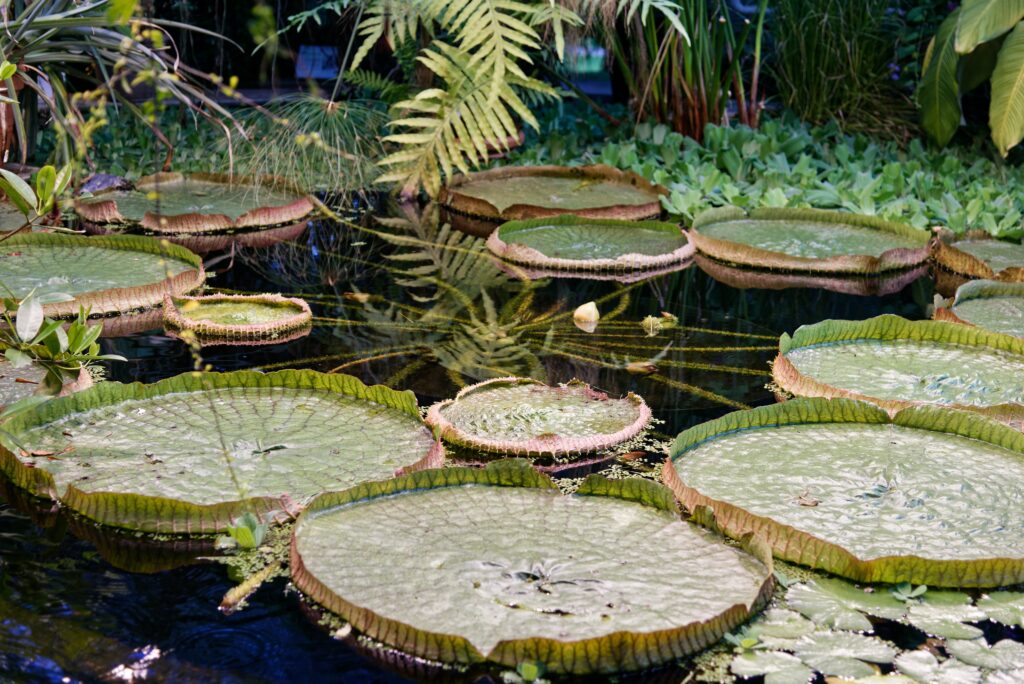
841,606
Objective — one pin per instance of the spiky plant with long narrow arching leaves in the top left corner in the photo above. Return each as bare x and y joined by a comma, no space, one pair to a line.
49,45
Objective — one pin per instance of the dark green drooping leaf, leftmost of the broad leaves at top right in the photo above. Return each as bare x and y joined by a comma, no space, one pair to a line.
938,93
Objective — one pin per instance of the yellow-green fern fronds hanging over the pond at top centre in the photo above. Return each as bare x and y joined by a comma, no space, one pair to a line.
479,54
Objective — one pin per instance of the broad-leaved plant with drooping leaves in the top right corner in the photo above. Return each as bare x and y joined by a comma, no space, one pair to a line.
983,41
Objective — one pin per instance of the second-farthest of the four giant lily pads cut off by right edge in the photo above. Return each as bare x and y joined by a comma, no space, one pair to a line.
989,305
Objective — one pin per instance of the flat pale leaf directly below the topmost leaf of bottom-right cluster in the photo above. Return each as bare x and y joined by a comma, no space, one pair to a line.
844,654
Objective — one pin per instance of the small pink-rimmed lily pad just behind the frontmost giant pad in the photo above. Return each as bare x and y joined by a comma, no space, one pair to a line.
526,417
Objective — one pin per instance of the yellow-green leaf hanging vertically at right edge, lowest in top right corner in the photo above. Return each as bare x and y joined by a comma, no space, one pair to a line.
1006,112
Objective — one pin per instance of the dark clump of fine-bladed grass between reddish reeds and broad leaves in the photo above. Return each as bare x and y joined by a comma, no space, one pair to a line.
833,60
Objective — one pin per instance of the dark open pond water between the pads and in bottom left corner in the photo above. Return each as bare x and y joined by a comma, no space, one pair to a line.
411,304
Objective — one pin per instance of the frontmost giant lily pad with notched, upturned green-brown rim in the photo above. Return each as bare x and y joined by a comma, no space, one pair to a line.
564,594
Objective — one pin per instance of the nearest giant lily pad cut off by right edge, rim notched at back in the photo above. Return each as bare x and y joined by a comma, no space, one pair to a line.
930,496
